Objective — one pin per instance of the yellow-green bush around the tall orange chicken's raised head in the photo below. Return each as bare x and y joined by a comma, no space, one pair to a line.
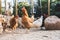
23,4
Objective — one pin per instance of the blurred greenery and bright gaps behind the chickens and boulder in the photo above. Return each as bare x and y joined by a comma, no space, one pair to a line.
36,7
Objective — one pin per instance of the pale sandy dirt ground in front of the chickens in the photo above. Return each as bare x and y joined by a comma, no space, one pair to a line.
34,34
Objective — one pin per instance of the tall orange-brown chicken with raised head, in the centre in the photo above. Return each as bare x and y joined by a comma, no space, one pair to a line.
26,20
